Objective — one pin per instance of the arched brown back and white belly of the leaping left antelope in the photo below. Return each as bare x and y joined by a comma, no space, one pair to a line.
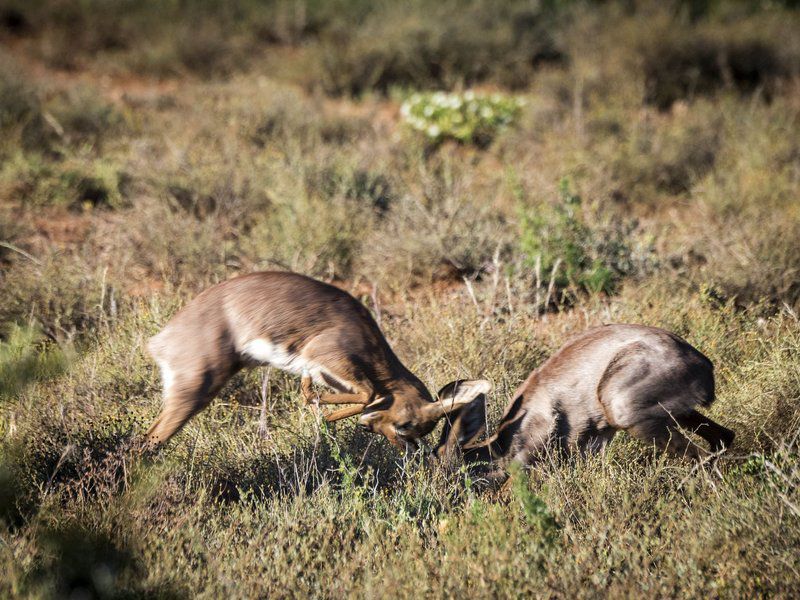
287,320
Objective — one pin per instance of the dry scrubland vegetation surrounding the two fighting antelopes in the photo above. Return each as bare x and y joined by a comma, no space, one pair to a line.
649,171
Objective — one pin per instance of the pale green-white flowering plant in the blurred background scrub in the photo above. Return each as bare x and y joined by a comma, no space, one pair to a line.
468,117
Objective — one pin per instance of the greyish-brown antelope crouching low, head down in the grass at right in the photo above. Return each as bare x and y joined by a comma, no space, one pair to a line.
644,380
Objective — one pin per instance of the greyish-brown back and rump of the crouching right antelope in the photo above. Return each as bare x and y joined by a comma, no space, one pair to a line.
618,375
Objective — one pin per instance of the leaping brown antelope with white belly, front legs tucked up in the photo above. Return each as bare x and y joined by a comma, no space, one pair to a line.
302,326
